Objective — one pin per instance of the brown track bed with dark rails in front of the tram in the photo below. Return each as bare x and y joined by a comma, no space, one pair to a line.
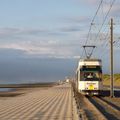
97,107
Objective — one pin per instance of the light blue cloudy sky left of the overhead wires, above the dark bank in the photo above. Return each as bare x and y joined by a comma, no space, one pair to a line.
43,27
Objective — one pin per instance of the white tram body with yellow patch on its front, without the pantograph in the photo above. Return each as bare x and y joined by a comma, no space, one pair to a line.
89,76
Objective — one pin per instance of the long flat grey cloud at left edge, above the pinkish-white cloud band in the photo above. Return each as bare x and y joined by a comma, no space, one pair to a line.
22,33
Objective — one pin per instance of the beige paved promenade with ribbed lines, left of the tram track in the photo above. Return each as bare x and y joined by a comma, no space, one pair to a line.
41,104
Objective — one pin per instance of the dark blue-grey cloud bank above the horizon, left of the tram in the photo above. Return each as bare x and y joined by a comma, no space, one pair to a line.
19,70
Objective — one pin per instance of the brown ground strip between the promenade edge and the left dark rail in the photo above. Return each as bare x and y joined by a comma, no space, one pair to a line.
86,109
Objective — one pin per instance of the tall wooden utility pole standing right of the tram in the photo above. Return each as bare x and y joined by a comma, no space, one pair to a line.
111,60
